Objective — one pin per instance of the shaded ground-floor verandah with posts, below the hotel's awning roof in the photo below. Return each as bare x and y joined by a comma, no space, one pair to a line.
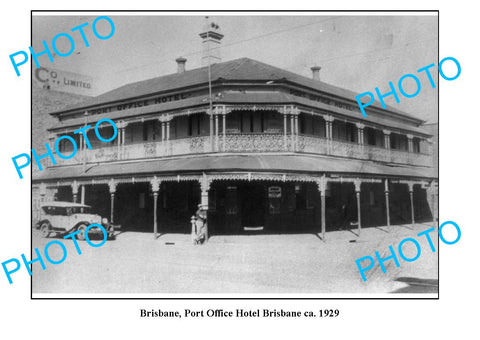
249,203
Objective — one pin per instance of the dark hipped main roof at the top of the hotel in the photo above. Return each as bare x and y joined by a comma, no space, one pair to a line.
243,70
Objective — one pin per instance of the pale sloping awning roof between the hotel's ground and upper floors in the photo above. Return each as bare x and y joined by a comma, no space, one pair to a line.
285,163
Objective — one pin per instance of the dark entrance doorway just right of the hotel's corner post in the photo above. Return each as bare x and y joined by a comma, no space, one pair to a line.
253,205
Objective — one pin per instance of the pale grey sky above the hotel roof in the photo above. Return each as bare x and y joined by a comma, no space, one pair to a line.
356,52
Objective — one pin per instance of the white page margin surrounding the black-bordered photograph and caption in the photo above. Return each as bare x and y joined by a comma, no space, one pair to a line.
454,315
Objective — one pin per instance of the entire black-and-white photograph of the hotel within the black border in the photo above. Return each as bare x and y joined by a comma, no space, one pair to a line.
227,154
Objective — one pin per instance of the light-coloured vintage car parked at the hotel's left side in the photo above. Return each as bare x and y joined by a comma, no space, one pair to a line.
67,217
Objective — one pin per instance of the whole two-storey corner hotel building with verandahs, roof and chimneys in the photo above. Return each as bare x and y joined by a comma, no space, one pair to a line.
273,152
